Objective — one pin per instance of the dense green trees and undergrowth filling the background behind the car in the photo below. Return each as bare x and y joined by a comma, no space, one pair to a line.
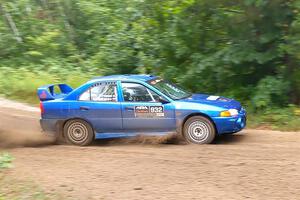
246,49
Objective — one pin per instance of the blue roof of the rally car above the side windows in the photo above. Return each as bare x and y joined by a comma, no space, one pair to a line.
140,77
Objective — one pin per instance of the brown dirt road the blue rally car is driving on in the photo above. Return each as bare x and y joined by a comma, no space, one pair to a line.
249,165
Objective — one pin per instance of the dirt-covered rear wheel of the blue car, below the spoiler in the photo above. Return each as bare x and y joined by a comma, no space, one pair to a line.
78,132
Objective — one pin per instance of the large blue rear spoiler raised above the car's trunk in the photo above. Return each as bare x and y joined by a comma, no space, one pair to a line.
47,92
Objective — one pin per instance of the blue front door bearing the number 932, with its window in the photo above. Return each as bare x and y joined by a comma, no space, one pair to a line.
142,110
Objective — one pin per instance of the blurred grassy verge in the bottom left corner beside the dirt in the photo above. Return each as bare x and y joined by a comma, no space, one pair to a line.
13,189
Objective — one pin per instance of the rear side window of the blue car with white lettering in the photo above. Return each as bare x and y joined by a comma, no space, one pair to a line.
102,92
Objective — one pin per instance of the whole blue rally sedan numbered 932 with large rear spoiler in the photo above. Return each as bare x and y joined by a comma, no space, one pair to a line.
130,105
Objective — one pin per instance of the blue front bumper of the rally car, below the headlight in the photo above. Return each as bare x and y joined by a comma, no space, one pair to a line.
230,124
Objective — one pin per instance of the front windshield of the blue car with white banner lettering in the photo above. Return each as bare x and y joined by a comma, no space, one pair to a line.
169,89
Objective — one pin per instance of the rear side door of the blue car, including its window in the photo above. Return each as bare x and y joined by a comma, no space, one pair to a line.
99,105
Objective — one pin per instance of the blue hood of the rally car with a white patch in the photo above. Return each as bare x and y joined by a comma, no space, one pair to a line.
214,100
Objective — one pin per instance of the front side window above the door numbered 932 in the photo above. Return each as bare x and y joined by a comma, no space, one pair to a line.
134,92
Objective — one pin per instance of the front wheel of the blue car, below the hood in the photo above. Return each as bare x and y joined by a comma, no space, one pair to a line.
199,130
